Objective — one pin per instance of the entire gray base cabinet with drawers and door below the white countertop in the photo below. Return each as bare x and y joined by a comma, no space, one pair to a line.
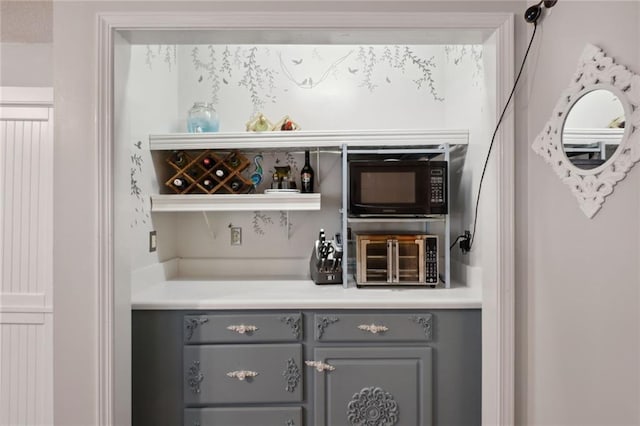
409,366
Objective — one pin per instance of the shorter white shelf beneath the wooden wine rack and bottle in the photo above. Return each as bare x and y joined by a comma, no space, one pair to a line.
234,202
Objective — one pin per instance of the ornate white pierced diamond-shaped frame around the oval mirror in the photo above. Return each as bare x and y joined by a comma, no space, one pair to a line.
595,71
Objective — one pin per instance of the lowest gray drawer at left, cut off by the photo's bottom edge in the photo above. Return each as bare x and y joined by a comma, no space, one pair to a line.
254,416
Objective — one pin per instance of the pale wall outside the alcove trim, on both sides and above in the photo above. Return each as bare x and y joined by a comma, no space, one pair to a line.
577,324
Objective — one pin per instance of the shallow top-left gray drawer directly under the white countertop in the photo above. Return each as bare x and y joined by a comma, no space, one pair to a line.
239,328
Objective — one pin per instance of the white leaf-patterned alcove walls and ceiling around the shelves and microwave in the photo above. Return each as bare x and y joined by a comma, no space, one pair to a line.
346,80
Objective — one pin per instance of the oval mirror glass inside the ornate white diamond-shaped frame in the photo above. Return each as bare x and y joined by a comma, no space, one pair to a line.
593,129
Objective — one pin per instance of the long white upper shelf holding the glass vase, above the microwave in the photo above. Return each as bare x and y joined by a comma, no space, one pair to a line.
308,139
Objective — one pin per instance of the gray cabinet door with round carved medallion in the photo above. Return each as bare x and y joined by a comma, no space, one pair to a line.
374,386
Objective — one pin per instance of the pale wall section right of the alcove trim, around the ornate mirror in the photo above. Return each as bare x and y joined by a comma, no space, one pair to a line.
579,306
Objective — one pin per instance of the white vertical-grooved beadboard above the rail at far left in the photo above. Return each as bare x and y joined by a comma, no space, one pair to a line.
26,182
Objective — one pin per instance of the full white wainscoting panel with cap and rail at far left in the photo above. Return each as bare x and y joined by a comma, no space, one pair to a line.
26,255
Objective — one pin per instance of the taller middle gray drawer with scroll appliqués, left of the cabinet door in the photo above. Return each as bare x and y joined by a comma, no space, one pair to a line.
214,373
